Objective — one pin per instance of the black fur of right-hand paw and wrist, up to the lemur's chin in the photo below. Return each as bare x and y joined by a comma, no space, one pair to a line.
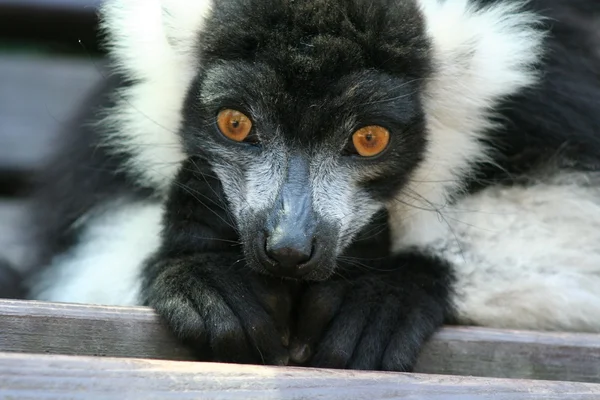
375,319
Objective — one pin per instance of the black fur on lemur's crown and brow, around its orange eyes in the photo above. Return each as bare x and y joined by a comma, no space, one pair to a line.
297,62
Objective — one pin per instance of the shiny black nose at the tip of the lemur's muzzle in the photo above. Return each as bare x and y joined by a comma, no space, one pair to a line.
288,255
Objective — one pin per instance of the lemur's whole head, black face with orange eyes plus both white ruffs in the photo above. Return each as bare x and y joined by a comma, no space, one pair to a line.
315,115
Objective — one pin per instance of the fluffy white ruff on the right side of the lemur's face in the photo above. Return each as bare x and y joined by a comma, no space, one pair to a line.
480,57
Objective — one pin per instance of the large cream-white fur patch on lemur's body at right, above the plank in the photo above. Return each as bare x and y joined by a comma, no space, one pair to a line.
524,257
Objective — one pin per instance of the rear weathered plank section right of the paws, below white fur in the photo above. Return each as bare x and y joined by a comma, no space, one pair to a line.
513,354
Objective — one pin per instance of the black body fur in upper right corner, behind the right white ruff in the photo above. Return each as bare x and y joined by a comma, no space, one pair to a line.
556,121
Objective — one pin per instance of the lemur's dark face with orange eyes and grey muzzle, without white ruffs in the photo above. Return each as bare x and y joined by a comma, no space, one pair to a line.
311,117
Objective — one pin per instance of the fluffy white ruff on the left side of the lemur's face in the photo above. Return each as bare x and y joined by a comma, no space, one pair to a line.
152,41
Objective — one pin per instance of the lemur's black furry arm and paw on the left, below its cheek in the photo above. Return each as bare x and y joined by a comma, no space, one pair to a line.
198,281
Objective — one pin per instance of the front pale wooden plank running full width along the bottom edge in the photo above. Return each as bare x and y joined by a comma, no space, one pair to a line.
68,377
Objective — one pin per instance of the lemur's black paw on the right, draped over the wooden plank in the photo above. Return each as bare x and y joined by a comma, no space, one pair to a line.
371,323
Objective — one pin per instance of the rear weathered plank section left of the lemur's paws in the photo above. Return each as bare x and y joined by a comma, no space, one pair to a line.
38,327
